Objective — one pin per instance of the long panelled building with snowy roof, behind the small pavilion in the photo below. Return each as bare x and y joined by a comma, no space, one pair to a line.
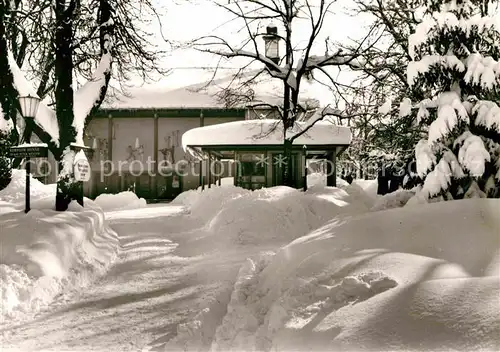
137,139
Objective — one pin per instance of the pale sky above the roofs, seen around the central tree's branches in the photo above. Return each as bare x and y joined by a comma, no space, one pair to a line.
184,20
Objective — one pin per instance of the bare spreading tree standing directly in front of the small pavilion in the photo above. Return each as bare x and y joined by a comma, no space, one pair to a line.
298,63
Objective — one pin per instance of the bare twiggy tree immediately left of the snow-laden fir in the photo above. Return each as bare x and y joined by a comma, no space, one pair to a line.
381,78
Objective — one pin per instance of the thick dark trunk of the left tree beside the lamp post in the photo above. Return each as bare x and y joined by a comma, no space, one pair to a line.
66,184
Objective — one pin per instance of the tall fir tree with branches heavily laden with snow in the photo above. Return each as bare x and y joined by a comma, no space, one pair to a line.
455,55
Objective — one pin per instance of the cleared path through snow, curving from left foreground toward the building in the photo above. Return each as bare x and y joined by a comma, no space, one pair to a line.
147,293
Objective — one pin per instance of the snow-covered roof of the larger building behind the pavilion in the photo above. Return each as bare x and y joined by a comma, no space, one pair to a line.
204,93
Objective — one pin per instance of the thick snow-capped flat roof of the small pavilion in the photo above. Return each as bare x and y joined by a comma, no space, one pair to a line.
264,132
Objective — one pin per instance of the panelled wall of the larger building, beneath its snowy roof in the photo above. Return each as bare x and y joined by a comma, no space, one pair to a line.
143,154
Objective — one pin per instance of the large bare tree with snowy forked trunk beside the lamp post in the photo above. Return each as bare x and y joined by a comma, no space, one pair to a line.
61,40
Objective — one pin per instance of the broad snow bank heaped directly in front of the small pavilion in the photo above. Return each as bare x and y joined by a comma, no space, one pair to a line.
233,216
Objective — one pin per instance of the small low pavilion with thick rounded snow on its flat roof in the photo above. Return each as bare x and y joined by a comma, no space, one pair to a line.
254,152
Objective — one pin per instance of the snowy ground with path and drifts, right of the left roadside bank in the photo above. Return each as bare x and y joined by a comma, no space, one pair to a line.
227,269
